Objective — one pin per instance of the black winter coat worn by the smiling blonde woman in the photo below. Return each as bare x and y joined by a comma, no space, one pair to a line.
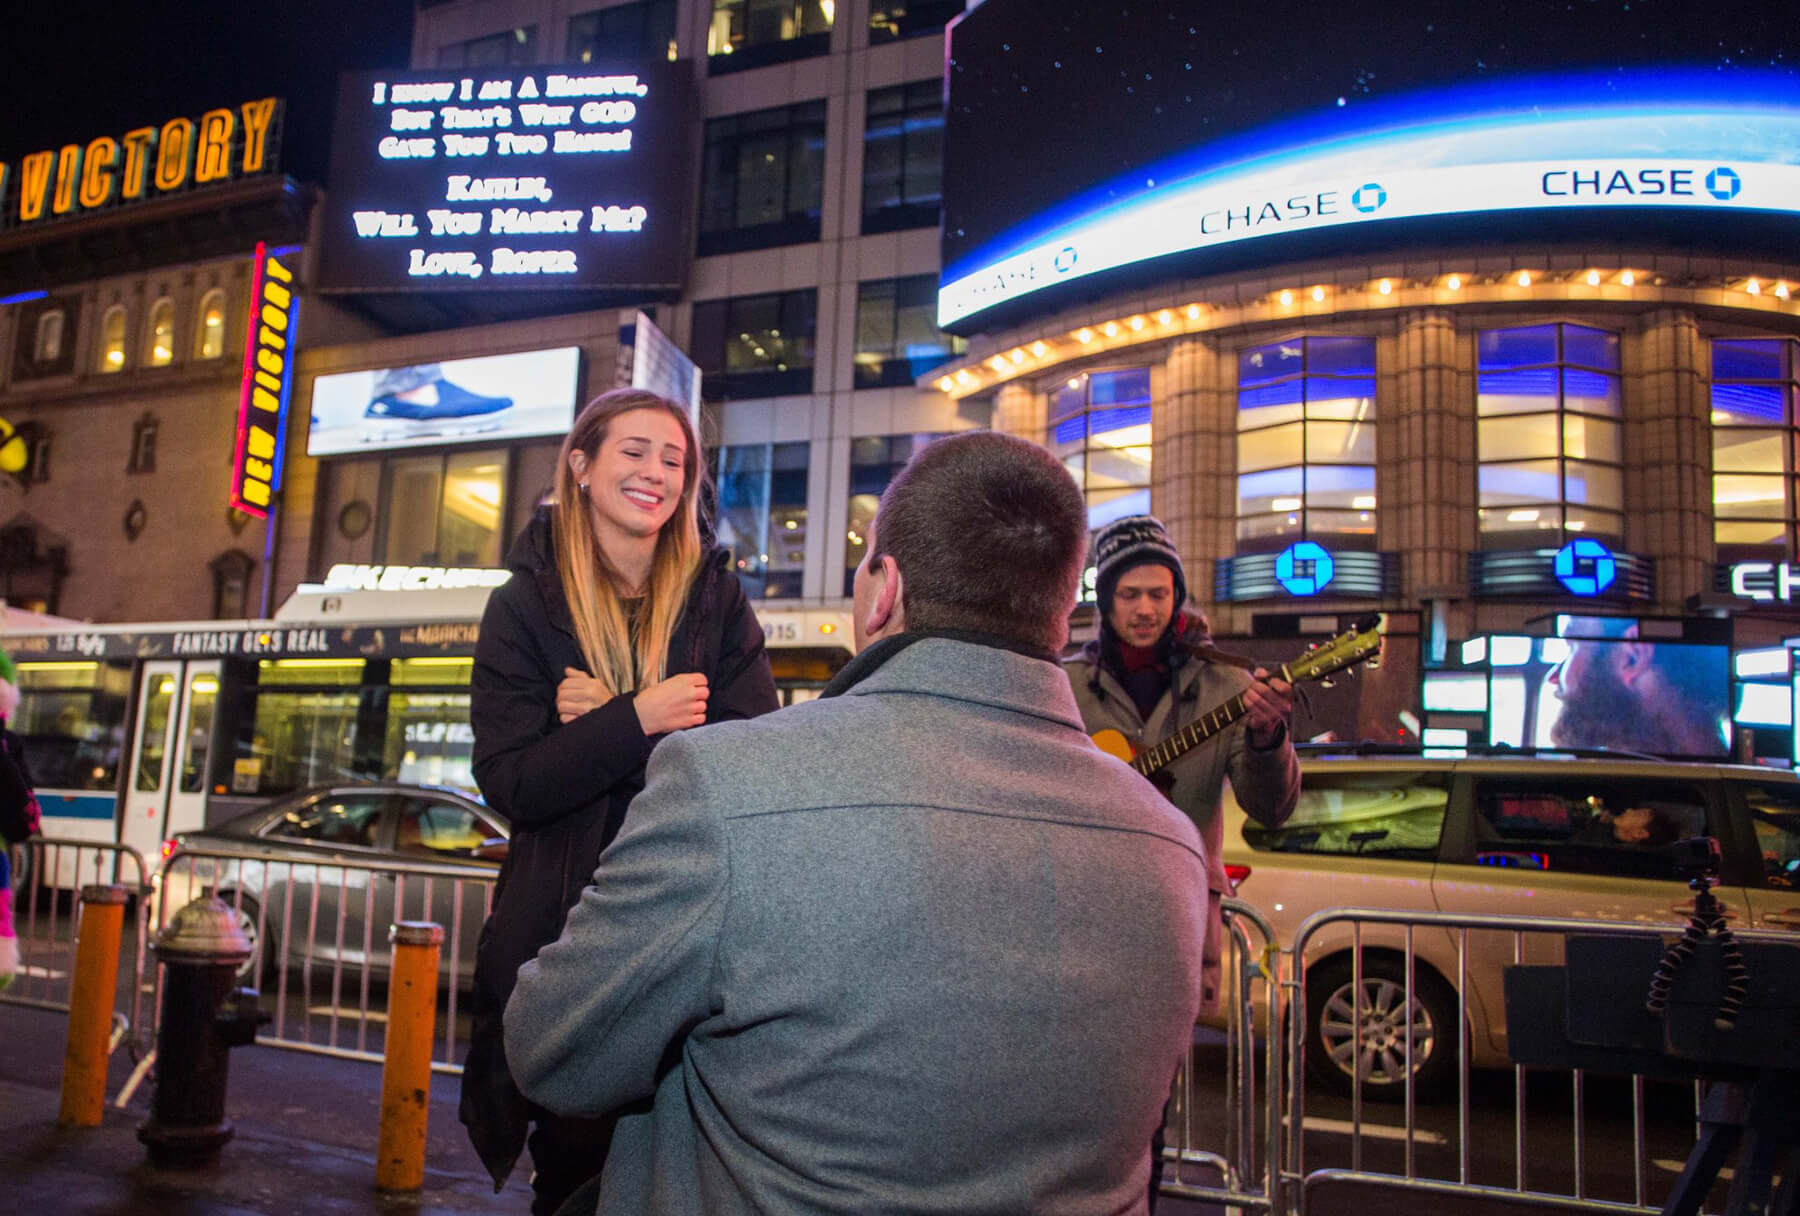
566,787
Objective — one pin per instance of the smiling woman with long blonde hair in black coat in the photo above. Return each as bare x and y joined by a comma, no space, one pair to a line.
620,627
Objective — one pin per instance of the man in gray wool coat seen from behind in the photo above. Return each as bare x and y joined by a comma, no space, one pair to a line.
913,947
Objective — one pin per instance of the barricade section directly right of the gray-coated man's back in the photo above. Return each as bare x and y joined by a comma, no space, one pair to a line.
1246,1174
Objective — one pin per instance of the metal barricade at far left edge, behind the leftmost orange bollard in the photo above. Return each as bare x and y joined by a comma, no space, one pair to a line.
46,916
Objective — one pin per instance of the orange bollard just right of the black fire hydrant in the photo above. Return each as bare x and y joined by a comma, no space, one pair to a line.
408,1062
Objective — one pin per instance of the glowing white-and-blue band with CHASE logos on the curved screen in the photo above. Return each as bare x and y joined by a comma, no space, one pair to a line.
1714,145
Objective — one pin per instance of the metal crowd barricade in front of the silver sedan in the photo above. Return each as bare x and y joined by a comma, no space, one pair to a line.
321,942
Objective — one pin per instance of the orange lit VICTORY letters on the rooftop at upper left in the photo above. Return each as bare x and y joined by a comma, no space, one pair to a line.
141,165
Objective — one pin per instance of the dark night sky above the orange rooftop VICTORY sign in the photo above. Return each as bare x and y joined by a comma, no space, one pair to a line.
75,69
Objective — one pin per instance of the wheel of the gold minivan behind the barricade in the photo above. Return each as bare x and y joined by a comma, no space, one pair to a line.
1345,1035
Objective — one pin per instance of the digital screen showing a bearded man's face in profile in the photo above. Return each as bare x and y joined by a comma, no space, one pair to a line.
1606,688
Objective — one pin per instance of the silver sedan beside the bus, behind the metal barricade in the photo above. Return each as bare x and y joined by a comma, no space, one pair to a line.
318,877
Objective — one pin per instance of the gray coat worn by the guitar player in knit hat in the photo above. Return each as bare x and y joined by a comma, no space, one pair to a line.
1264,782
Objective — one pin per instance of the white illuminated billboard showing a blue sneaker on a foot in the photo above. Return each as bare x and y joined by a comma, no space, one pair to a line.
480,400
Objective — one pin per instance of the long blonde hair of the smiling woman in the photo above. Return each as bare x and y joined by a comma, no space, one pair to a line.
620,657
